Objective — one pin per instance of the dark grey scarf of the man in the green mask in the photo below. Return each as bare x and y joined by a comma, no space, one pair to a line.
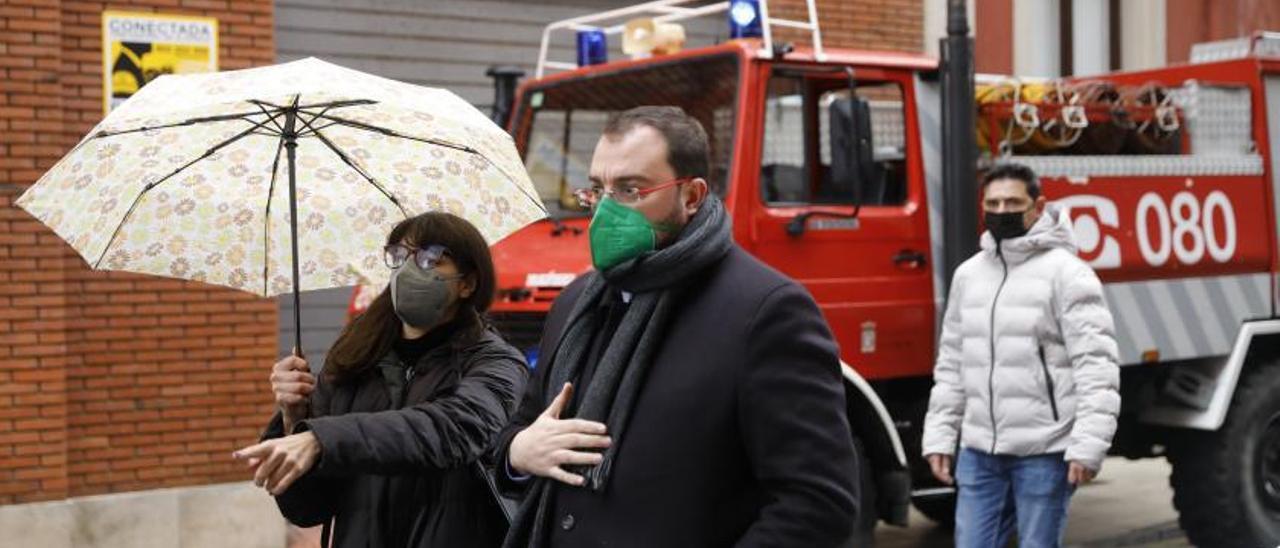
656,280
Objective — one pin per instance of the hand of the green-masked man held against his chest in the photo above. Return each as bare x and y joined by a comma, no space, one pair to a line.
550,444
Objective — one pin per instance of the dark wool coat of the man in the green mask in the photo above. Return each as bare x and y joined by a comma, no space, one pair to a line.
739,436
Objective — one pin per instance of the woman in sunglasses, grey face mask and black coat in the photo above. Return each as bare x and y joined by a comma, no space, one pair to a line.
382,446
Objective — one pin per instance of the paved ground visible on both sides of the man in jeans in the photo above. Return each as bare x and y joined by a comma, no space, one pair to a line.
1130,505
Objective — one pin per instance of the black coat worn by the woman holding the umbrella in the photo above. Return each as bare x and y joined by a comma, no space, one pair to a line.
397,464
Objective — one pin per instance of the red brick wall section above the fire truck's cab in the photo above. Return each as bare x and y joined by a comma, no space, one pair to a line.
861,25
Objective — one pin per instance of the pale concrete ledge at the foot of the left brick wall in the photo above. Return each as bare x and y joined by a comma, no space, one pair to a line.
225,515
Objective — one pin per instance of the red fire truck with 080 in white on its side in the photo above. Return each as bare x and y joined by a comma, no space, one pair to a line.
831,163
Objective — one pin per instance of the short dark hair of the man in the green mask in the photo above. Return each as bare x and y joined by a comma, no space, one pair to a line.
688,148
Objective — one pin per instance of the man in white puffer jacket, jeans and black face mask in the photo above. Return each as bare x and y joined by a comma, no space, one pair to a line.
1026,382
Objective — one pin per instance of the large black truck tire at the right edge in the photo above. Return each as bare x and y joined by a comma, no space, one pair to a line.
1227,483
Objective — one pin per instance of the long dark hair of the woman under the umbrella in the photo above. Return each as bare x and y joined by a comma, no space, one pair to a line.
371,336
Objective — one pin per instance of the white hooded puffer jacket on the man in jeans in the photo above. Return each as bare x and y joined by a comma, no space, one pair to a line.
1028,355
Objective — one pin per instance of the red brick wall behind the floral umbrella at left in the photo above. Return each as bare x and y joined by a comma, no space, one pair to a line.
112,382
